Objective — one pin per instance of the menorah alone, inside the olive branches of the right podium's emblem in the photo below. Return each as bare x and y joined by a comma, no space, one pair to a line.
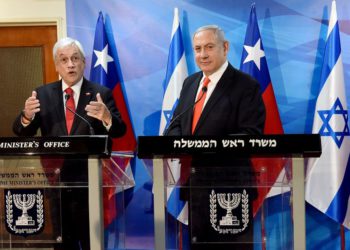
229,204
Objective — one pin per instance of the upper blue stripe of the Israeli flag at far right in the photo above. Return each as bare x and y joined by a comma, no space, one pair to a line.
331,54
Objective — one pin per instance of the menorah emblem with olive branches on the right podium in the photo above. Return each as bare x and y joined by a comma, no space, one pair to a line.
233,210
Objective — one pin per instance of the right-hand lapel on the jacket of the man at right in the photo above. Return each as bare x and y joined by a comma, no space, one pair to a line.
218,92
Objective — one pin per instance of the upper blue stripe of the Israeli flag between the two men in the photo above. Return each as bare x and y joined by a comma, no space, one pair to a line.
176,51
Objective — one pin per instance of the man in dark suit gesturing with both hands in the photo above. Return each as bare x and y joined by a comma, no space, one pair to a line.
46,110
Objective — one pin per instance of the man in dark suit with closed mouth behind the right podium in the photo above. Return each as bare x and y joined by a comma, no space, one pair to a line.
219,100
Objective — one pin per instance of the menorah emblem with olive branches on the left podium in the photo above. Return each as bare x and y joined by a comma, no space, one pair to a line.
24,211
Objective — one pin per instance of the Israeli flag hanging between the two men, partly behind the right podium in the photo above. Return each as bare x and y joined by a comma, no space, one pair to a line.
175,76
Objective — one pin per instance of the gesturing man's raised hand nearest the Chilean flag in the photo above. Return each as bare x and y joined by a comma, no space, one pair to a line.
99,110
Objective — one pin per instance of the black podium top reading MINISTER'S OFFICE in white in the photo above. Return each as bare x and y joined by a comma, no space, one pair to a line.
98,145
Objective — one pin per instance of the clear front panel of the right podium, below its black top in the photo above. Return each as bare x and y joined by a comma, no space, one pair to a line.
214,203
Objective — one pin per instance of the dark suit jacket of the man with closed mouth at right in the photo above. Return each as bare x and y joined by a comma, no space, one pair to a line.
235,106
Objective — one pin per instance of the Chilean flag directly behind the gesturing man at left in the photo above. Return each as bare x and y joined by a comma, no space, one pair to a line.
105,70
